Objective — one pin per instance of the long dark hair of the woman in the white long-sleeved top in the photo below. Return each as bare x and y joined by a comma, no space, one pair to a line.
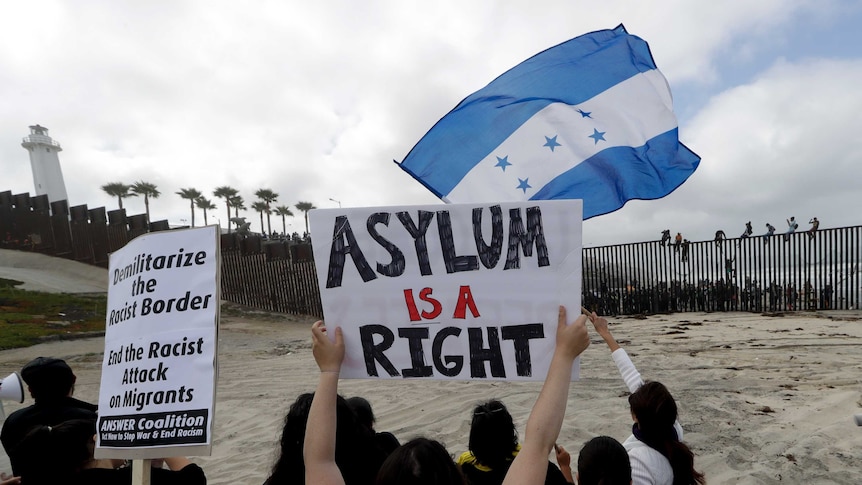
656,412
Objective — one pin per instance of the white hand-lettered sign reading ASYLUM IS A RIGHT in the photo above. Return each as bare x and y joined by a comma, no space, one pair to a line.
460,291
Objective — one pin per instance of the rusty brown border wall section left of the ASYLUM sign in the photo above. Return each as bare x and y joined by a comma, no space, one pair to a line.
272,275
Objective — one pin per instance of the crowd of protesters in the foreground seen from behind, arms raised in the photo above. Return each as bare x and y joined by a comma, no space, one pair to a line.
345,448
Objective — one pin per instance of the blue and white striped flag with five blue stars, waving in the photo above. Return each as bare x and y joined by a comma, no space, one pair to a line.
591,118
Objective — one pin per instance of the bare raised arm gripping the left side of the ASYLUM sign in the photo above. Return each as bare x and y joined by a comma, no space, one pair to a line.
319,445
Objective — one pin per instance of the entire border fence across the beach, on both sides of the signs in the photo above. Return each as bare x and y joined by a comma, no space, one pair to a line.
801,271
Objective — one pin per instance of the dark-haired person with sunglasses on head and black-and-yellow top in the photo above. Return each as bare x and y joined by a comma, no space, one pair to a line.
493,444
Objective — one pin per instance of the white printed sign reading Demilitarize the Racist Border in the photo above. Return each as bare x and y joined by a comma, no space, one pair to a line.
157,395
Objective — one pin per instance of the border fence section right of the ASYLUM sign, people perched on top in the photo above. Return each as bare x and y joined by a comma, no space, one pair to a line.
800,271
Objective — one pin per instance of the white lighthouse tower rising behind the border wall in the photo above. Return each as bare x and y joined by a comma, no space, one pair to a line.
47,176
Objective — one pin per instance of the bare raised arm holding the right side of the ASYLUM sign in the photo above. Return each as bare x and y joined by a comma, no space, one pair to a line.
546,418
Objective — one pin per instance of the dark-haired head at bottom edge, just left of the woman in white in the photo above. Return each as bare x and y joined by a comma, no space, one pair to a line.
604,461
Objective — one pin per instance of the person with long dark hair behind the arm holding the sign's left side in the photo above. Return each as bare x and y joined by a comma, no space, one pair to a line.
356,453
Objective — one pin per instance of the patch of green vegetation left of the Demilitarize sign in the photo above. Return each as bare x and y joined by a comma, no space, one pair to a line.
28,317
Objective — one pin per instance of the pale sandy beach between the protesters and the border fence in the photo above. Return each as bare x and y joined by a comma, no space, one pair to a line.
763,398
